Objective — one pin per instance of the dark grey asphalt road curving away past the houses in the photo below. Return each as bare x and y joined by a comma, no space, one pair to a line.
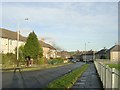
35,79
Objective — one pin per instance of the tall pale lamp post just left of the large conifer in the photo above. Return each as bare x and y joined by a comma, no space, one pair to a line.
18,37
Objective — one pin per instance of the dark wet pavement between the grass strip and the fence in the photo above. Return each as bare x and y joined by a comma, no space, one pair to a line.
89,79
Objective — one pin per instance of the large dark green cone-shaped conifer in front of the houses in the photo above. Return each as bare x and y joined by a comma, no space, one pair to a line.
32,46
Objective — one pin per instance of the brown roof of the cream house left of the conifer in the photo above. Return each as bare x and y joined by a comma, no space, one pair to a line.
11,35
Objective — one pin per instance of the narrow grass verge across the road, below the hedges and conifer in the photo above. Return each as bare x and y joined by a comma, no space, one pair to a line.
41,67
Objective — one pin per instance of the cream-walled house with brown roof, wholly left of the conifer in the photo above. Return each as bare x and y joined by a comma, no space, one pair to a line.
8,41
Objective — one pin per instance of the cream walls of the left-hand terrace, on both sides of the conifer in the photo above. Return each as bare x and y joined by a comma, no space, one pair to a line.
9,45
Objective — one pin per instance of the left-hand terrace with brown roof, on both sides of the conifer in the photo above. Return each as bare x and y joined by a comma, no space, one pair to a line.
8,42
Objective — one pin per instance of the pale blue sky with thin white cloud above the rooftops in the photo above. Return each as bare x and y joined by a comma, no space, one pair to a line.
68,25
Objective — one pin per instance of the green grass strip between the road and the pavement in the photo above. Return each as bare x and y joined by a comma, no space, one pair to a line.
69,79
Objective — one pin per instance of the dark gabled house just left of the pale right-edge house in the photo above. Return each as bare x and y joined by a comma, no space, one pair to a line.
101,54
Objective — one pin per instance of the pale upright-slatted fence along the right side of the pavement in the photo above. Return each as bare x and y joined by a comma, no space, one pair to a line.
110,77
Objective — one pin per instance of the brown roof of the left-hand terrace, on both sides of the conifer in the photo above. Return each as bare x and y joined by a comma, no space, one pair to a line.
13,35
